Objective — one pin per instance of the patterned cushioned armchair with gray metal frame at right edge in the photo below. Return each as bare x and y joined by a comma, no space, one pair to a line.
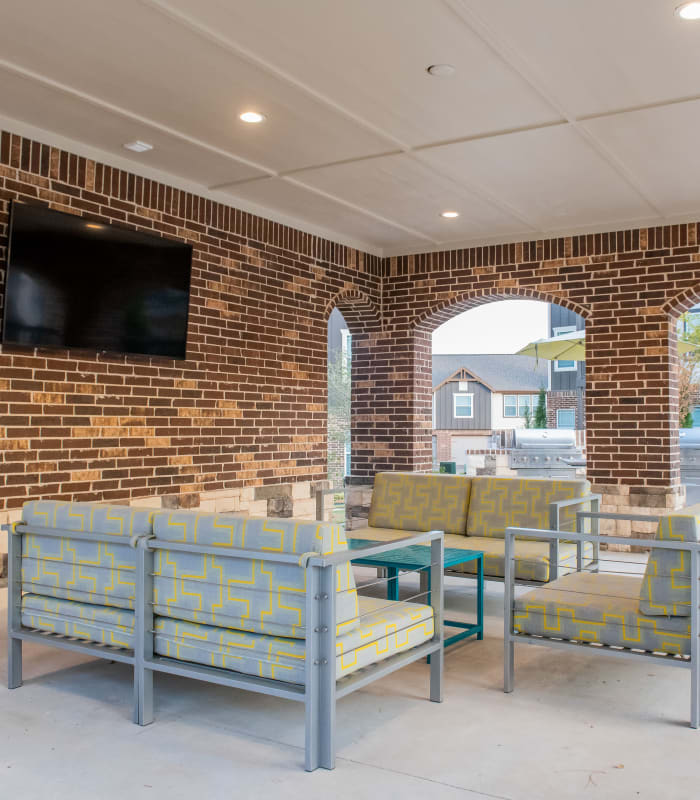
652,616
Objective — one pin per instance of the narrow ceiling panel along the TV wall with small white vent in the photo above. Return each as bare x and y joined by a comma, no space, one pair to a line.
26,100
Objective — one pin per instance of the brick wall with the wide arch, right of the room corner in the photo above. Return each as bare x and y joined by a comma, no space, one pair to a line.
629,287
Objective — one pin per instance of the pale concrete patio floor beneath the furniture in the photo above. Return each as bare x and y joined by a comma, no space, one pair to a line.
577,726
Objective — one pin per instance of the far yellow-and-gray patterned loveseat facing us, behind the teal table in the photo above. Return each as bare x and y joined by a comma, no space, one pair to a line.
475,512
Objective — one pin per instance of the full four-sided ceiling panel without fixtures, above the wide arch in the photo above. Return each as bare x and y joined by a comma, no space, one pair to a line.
551,176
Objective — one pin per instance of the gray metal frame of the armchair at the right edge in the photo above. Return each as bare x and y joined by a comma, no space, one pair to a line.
510,637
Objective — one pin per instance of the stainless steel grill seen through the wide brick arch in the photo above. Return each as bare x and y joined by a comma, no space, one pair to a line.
545,453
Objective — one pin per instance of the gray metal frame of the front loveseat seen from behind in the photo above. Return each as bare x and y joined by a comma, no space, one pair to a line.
320,690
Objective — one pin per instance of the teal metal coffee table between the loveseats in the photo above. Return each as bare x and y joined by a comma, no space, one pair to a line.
418,556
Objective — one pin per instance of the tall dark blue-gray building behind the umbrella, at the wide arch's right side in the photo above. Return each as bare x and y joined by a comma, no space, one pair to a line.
567,379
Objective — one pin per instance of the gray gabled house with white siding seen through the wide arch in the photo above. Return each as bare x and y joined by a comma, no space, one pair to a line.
477,395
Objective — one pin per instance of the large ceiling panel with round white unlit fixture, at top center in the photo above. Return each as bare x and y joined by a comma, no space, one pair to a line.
370,57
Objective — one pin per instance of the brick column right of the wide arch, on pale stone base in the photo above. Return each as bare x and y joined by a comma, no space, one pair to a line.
631,416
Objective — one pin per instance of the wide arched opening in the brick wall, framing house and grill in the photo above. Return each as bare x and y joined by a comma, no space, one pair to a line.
481,392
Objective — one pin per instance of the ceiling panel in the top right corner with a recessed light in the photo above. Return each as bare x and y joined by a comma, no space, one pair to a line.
599,55
